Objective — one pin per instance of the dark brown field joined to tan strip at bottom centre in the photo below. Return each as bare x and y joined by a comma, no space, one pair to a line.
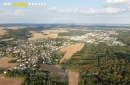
72,77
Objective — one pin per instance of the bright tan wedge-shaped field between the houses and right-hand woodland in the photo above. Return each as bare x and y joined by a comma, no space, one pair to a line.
70,50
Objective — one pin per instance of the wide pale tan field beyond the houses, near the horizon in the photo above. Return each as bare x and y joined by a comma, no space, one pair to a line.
46,34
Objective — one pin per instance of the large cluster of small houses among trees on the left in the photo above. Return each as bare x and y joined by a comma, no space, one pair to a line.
27,52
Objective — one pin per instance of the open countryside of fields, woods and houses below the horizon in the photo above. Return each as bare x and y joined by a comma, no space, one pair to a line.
65,56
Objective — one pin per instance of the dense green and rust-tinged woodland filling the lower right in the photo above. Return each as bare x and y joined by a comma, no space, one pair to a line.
102,64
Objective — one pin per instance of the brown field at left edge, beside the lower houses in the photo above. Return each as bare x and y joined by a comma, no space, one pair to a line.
4,62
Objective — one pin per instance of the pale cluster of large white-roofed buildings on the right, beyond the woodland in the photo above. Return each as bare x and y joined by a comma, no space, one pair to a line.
98,36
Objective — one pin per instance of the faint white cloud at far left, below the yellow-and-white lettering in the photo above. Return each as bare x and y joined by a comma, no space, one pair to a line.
14,13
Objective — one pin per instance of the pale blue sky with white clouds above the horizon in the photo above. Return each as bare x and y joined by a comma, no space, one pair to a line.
67,11
